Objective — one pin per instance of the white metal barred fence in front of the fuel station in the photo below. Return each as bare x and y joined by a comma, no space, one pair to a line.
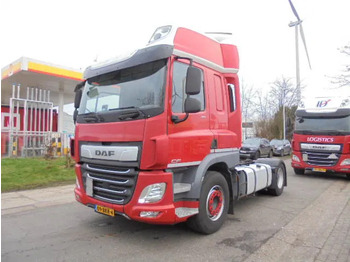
27,127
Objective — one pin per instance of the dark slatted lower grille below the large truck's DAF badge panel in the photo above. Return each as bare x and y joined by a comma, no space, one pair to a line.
109,184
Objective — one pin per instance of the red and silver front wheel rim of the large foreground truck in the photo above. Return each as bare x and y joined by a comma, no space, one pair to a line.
215,203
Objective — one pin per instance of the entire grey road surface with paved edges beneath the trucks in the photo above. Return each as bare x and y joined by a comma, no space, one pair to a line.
303,224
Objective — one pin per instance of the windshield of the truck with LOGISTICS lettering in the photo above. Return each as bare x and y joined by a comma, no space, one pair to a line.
330,126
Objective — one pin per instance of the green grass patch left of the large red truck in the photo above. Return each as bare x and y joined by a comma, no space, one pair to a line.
29,173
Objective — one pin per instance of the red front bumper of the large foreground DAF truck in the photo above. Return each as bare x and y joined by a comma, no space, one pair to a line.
170,212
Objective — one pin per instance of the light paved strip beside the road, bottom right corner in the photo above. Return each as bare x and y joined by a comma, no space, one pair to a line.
304,238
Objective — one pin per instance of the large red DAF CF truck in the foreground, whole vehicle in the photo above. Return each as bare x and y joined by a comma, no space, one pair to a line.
158,134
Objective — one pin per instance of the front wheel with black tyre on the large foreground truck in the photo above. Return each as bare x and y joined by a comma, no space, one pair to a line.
213,204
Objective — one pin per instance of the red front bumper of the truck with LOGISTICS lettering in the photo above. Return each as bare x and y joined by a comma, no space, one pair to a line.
335,169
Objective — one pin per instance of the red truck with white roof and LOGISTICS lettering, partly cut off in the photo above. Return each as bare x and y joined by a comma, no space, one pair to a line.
321,140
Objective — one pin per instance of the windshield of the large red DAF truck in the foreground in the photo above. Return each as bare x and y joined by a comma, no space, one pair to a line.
140,88
